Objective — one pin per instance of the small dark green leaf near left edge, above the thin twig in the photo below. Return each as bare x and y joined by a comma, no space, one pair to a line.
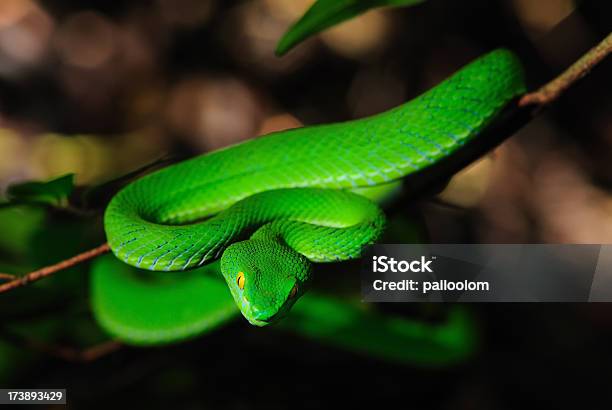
53,192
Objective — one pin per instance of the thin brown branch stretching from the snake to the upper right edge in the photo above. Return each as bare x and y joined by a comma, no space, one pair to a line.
553,89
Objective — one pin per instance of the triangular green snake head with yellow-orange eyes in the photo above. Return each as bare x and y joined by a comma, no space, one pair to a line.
265,278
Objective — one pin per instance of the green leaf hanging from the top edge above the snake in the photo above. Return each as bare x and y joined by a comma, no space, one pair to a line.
327,13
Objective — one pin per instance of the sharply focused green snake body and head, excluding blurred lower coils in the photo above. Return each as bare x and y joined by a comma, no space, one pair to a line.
271,206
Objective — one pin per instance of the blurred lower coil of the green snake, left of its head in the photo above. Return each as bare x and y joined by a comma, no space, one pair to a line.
150,308
